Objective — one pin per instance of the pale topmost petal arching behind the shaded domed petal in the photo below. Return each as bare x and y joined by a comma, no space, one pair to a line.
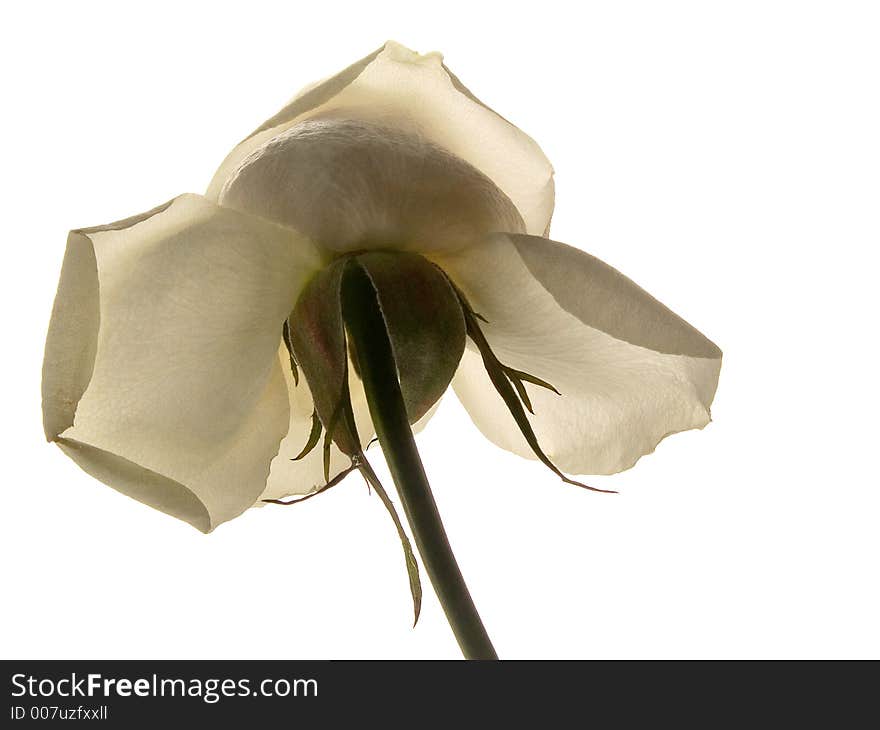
397,89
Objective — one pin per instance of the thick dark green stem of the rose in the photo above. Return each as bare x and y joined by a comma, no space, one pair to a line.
378,371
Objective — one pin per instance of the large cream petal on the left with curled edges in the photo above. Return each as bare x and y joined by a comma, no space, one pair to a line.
161,376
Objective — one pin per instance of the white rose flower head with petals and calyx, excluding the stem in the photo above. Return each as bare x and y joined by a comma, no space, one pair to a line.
166,374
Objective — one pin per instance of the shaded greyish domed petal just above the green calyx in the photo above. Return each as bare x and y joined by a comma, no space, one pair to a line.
350,186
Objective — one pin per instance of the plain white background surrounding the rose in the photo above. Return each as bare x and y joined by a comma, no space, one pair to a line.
723,155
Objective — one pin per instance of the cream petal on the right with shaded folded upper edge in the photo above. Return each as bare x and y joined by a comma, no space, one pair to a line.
630,371
